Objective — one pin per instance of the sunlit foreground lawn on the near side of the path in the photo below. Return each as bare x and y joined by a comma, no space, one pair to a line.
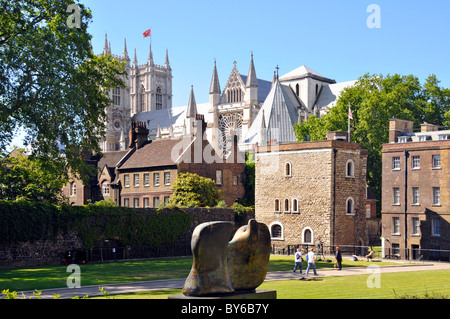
422,285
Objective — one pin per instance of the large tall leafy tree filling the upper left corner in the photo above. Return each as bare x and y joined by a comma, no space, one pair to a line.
53,86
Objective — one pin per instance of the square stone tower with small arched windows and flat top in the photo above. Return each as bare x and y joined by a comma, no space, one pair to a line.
312,191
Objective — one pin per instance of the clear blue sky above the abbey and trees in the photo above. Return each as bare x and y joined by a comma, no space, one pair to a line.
330,37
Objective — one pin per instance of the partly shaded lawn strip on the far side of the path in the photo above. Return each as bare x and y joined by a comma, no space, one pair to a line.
18,279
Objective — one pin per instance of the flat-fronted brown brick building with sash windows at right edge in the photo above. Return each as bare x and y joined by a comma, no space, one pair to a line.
416,191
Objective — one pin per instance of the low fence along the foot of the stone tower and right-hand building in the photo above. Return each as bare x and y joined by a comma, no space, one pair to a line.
361,251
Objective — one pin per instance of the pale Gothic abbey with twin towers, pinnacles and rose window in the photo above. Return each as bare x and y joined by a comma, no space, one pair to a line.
245,106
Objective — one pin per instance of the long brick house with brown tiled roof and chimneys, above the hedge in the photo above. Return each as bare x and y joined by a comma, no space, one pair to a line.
143,175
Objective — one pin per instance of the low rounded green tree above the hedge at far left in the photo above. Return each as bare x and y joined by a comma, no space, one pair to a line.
28,178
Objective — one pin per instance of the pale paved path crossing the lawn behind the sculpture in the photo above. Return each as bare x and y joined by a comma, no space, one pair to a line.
91,291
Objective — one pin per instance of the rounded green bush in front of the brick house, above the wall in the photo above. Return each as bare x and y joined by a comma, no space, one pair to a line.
194,190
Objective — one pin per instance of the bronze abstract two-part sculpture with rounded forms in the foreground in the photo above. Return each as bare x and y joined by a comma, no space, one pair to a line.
222,266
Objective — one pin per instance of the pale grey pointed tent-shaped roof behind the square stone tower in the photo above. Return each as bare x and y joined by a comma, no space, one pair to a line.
279,111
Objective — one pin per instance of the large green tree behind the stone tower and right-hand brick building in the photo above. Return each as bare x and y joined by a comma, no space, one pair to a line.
374,99
